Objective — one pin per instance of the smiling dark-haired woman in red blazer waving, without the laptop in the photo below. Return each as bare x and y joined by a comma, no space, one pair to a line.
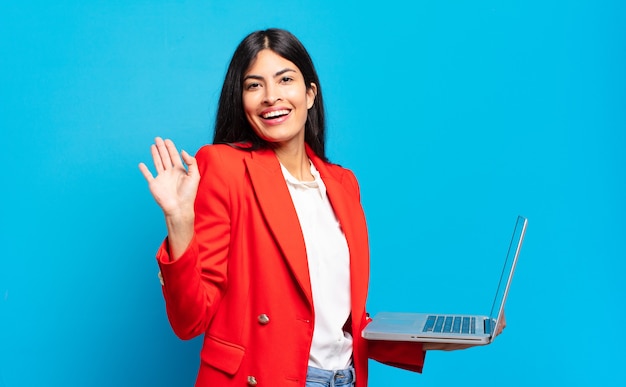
267,253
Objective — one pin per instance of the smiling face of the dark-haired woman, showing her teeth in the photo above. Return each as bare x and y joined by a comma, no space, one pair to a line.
276,100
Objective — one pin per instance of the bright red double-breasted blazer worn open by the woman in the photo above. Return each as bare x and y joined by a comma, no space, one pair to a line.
243,281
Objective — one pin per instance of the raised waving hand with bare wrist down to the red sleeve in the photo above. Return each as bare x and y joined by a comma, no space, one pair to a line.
174,189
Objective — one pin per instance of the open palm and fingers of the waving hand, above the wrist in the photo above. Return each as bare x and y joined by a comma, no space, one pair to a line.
174,187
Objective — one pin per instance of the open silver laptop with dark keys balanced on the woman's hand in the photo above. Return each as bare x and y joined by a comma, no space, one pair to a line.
451,328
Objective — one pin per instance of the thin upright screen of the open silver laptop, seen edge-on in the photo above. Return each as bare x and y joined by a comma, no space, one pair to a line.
497,308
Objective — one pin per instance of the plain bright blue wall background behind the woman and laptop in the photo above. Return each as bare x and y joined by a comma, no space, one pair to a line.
456,117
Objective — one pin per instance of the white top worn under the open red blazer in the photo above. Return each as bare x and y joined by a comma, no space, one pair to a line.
329,269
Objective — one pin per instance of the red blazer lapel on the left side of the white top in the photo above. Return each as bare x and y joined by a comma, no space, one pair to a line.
277,207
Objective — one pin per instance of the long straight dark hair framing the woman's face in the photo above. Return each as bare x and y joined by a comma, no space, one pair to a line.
231,125
